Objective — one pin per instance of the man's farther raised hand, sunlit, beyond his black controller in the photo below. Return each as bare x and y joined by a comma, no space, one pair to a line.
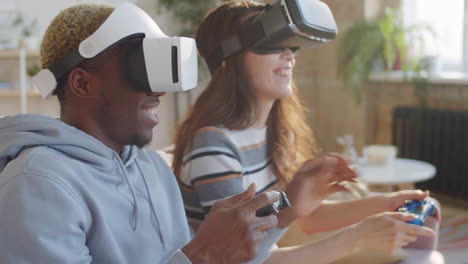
315,180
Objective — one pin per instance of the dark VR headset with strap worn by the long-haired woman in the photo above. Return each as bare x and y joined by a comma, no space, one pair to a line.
294,24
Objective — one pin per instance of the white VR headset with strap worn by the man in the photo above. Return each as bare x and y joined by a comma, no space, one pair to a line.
152,62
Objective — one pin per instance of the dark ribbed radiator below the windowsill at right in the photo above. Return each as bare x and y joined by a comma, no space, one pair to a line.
439,137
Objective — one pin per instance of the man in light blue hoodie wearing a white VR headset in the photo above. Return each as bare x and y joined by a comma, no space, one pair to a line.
83,188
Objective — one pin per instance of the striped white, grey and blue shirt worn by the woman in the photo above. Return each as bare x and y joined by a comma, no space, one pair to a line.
223,163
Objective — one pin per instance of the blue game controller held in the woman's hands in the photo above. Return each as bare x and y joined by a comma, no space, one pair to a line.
421,208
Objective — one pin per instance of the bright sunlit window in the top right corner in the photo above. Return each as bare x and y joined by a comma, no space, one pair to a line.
447,19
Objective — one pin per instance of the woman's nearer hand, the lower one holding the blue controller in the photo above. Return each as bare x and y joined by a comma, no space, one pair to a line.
386,232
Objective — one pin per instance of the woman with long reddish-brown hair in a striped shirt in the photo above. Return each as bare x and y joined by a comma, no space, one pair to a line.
248,126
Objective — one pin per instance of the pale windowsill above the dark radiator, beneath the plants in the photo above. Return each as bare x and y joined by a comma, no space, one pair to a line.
451,78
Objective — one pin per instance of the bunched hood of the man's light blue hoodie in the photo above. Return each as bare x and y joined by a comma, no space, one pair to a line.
21,132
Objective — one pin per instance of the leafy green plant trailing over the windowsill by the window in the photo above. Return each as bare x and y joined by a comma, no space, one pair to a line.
379,45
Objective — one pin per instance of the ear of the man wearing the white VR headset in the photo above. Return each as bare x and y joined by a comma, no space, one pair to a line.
80,82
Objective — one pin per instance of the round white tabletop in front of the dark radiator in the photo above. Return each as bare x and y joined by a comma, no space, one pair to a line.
403,173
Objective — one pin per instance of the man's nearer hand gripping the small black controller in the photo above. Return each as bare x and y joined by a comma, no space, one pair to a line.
231,232
